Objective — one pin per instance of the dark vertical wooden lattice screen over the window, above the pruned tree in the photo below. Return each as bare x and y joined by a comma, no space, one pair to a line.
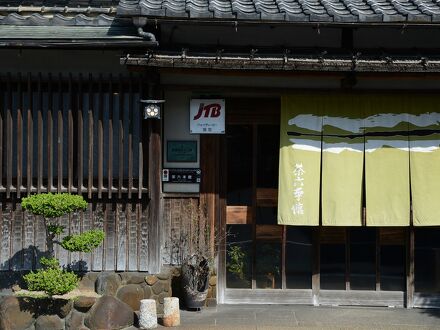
79,134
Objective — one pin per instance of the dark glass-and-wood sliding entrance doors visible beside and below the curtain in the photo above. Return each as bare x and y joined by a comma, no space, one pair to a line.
268,263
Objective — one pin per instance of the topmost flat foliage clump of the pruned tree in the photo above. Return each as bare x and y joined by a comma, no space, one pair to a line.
53,205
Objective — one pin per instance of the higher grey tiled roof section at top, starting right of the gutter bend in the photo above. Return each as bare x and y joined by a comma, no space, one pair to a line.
339,11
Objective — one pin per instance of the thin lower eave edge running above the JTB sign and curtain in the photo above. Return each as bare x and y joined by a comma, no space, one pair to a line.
286,63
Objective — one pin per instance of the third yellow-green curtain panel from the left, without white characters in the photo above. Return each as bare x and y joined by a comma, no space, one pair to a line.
387,162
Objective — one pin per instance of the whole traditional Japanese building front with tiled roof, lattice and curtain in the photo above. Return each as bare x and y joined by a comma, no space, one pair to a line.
321,188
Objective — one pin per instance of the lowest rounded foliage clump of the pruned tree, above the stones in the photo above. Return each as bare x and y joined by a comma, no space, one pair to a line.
51,280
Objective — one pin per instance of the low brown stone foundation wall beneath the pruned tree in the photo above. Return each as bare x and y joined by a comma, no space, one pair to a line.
121,295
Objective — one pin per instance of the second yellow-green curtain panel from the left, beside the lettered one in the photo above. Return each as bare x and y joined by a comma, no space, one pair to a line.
342,162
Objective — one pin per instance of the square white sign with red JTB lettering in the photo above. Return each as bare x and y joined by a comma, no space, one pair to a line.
207,116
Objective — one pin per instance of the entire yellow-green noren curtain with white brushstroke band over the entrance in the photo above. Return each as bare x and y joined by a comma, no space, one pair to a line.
331,144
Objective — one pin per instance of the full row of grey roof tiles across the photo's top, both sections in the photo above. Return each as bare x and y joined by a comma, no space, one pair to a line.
102,12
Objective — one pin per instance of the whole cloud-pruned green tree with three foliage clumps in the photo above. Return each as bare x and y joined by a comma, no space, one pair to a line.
52,278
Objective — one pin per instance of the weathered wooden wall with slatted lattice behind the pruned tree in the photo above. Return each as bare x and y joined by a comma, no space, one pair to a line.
78,134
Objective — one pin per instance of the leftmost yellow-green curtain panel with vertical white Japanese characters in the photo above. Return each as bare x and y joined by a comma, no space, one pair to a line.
300,161
